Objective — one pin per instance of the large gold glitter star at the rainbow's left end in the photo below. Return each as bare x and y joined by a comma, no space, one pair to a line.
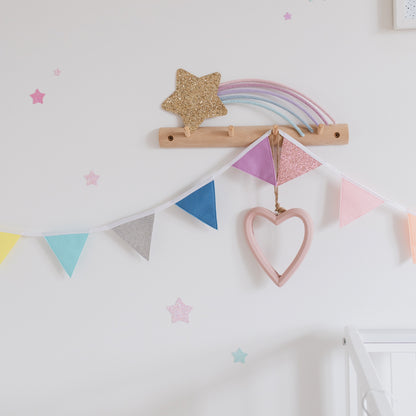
195,99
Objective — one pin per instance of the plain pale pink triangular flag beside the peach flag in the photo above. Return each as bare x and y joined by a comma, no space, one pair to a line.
355,202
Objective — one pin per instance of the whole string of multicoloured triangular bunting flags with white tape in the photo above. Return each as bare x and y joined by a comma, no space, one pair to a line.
256,160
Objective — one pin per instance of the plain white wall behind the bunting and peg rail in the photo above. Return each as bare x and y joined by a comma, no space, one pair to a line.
102,343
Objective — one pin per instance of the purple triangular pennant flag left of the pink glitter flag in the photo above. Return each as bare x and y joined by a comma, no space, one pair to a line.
259,162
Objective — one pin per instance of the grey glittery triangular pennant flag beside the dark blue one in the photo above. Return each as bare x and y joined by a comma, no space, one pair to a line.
138,234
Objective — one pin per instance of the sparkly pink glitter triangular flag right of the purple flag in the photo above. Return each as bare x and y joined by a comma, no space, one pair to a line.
294,162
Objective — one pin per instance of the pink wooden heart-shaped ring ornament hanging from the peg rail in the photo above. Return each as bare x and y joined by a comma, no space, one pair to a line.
278,279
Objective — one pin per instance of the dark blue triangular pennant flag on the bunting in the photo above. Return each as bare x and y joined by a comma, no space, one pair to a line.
201,204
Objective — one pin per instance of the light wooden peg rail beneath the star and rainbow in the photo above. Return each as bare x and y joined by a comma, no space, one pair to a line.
242,136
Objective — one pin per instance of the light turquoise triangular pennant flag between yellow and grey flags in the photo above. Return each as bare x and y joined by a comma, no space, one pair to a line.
67,248
